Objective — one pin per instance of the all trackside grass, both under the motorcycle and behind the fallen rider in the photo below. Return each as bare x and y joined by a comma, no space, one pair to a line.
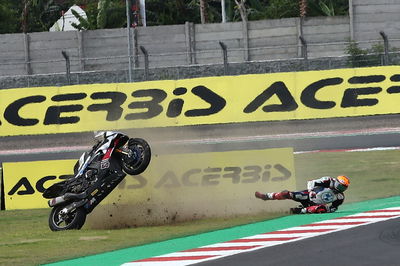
26,240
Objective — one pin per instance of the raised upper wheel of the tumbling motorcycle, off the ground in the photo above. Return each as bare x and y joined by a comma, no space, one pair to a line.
140,159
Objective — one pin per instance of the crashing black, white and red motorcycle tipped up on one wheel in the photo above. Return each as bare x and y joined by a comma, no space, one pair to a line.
96,174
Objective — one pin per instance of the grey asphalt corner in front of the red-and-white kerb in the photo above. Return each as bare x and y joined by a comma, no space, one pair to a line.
374,244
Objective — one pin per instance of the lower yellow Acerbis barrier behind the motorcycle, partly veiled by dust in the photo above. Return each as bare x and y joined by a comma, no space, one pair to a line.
186,185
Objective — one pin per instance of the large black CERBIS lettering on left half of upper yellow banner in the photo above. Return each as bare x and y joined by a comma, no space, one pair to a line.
147,108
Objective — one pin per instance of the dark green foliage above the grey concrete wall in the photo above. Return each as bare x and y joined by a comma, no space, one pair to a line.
42,14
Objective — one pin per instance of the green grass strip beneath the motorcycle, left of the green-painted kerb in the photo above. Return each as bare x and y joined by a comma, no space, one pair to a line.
27,240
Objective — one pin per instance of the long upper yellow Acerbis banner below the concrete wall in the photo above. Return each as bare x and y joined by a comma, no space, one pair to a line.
212,100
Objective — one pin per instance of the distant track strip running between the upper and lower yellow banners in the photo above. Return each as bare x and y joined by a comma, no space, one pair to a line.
302,135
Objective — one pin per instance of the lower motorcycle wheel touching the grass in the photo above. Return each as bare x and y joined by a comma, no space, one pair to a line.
75,219
